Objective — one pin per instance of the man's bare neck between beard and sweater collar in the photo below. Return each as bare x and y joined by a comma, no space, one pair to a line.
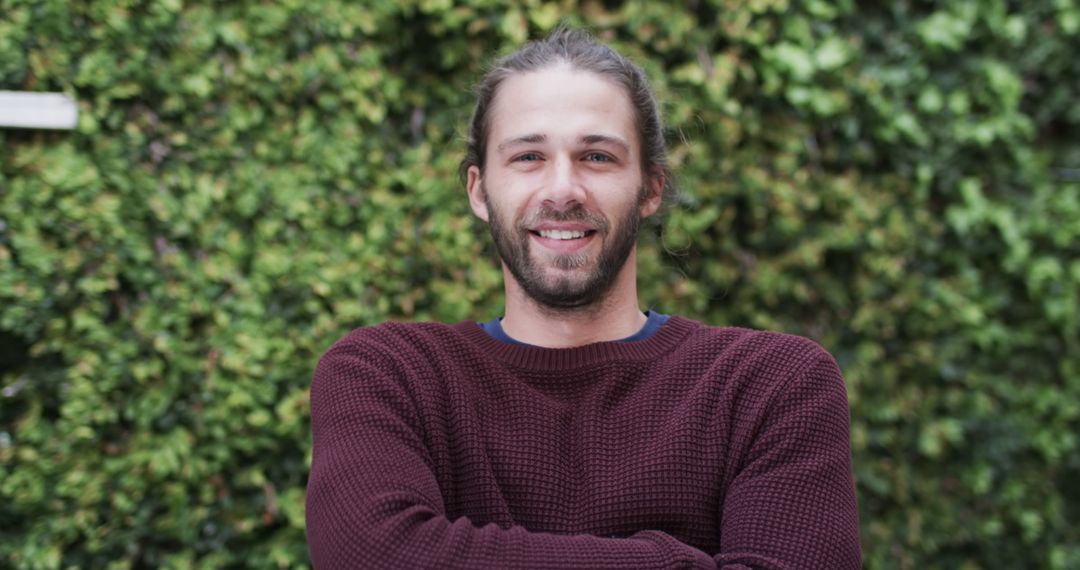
614,318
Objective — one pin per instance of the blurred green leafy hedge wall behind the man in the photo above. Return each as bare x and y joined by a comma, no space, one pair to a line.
250,181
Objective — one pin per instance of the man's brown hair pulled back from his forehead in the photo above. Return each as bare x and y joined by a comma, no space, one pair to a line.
582,52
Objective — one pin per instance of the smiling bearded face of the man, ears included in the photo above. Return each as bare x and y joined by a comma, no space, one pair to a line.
562,188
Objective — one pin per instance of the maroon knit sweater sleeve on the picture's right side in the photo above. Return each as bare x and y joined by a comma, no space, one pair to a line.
793,503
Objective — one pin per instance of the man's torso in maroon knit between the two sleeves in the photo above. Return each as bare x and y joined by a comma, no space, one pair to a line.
599,440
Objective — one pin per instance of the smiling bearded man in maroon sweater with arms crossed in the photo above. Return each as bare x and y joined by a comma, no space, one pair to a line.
577,432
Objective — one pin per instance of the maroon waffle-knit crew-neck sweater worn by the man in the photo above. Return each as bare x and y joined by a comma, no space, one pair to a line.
438,446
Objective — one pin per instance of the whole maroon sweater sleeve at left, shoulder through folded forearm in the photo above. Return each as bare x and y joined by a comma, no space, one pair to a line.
374,501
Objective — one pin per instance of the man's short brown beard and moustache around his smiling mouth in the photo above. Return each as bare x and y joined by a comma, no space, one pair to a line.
570,281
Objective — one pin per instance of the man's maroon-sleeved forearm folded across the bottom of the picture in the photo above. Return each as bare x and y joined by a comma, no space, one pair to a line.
398,531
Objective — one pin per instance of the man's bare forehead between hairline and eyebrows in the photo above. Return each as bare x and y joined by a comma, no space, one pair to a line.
561,104
